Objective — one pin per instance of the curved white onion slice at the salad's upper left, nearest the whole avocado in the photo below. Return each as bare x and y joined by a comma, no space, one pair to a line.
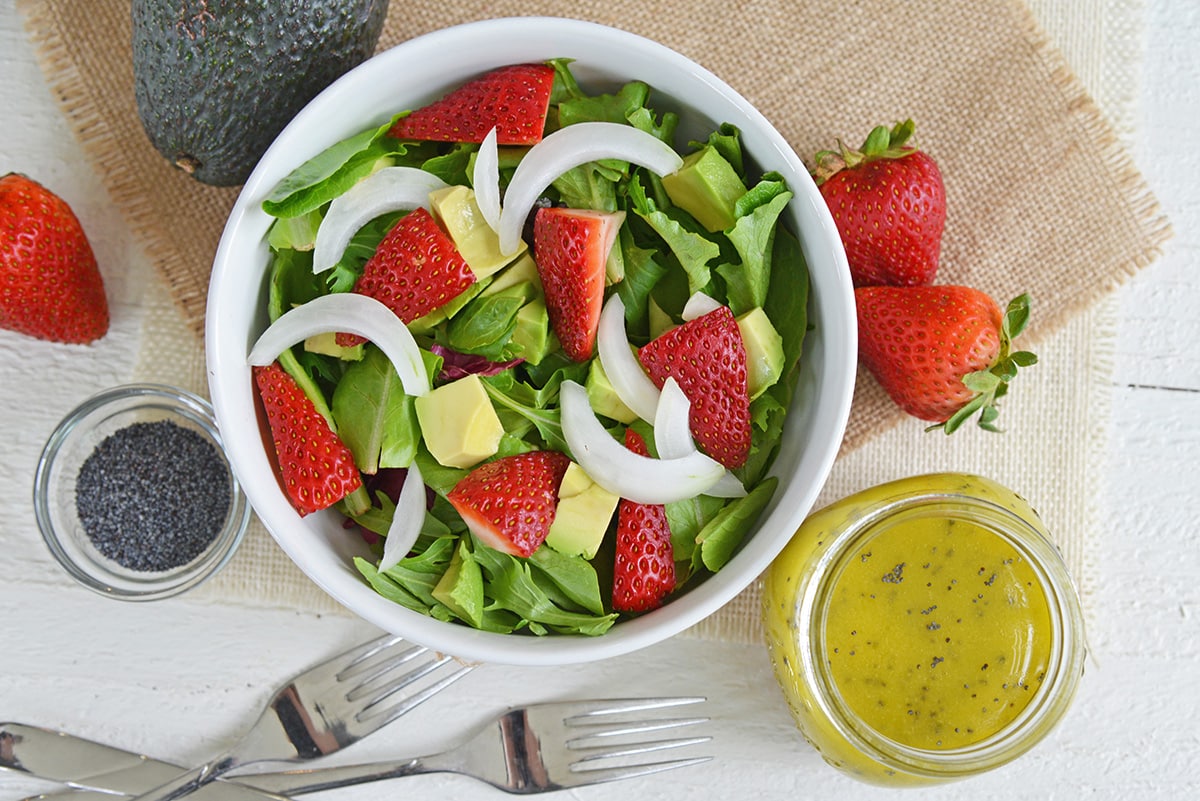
392,189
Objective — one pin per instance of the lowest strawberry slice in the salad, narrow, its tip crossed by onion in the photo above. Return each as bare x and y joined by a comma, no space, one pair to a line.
644,571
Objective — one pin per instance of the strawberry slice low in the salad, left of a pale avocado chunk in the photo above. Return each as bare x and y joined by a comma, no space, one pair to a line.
511,503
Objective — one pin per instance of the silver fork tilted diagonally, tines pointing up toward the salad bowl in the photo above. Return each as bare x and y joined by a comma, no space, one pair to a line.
327,708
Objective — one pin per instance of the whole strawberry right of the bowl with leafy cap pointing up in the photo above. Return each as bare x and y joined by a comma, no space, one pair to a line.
890,206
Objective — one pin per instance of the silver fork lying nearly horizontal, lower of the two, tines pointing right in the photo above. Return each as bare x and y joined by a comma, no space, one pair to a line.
531,750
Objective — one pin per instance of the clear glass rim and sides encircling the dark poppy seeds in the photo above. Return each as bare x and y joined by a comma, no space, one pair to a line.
179,403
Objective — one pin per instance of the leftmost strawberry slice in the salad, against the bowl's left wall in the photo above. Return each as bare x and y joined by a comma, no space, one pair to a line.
317,468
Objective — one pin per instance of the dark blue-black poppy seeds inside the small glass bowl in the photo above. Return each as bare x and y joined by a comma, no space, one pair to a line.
153,496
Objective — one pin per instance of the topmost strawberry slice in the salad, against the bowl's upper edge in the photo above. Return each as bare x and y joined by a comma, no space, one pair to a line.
514,100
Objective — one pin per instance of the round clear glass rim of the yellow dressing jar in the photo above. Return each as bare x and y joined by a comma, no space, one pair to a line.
1049,701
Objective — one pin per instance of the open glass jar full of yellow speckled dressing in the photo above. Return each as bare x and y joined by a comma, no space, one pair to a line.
925,630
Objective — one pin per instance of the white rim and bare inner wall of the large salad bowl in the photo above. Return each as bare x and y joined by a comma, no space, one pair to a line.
531,39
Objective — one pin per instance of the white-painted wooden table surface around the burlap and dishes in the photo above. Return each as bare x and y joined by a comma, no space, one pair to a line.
182,679
